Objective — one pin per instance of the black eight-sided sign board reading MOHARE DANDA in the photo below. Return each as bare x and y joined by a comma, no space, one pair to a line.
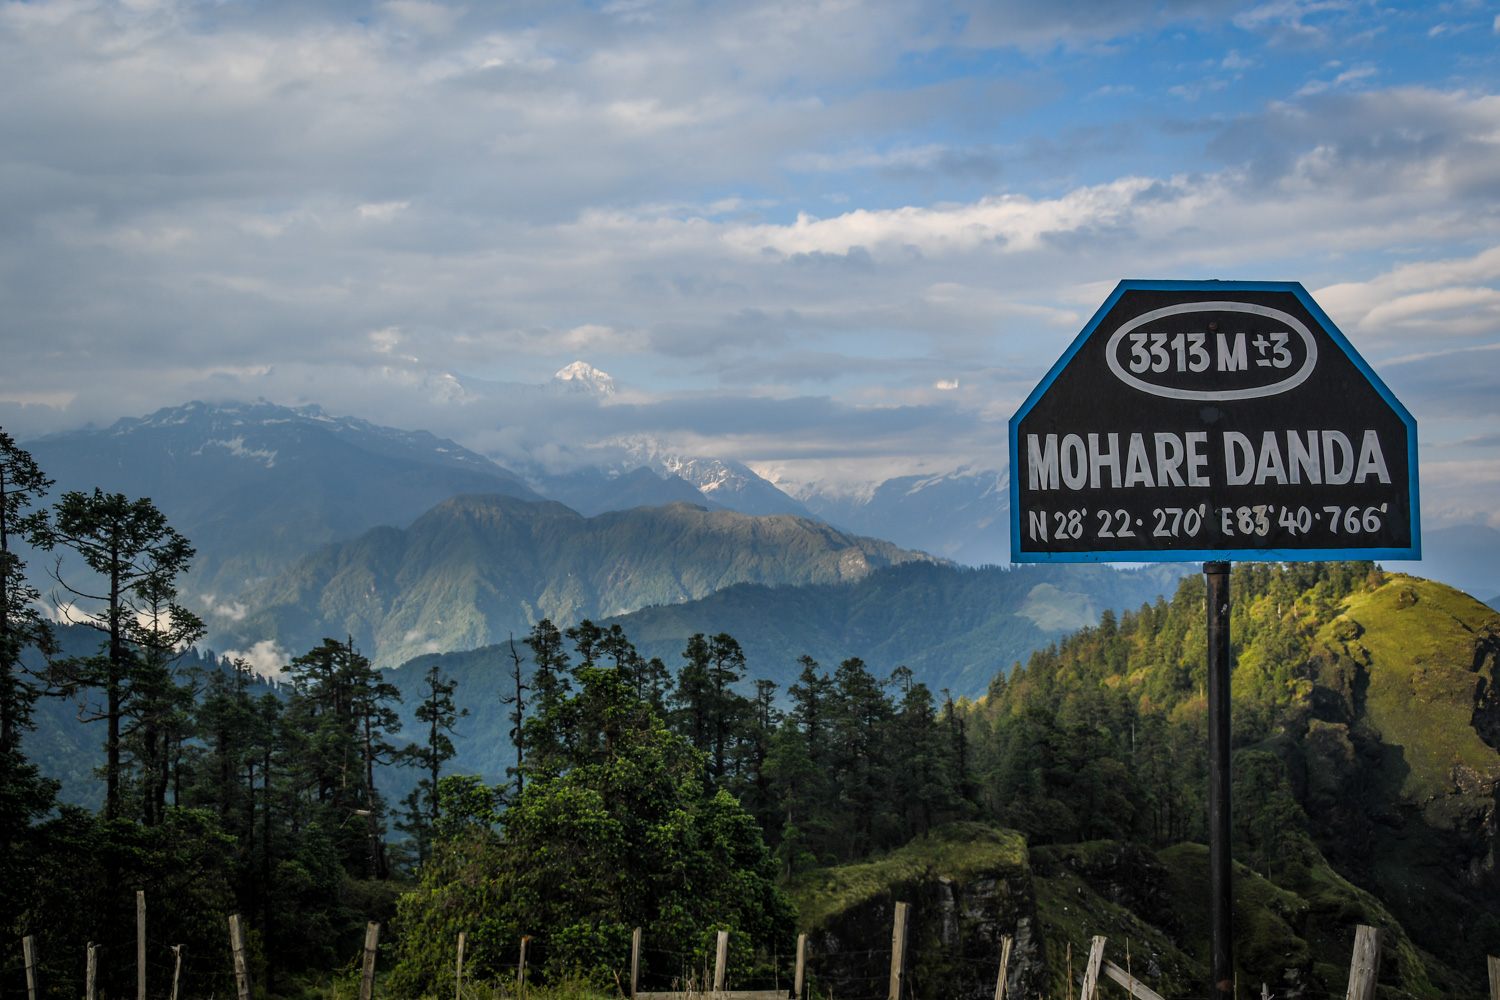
1213,422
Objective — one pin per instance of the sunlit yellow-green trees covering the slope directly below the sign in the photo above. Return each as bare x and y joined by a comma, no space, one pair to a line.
1103,734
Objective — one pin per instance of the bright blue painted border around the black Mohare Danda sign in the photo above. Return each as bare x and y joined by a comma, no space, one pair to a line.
1214,555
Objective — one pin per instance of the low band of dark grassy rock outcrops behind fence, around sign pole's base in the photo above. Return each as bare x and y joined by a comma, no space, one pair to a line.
970,885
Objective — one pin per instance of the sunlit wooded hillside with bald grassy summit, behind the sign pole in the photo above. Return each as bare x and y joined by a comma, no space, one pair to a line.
1366,722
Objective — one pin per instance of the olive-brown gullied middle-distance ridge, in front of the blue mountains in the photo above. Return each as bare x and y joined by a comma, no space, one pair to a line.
476,569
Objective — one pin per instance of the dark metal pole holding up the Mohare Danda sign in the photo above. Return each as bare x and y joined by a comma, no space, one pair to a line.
1222,962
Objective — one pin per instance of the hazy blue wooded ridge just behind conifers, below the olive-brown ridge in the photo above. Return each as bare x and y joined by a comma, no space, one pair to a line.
952,626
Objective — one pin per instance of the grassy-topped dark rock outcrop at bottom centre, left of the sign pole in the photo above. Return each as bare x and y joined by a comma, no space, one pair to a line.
967,885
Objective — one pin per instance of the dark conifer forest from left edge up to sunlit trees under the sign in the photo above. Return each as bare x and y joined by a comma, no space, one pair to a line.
682,798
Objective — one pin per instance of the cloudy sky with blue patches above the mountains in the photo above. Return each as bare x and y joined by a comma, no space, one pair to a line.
838,241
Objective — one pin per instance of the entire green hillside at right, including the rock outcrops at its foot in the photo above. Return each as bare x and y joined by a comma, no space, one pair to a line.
1366,729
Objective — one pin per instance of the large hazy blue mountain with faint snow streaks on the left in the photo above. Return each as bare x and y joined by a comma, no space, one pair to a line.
259,487
